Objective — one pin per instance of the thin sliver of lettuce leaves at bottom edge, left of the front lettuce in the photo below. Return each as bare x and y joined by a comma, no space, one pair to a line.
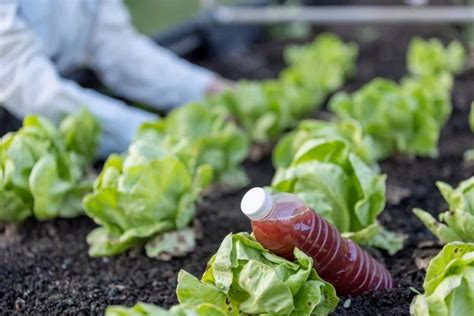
142,309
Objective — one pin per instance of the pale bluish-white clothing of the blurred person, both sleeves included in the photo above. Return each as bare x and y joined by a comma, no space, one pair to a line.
40,39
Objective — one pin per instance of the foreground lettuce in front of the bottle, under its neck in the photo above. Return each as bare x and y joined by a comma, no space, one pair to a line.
244,278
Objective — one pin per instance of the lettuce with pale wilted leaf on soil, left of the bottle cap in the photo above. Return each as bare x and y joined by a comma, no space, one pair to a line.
135,203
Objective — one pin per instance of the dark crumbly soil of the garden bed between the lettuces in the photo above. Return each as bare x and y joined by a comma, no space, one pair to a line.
47,271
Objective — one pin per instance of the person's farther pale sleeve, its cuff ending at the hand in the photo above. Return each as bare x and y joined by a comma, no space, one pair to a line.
136,68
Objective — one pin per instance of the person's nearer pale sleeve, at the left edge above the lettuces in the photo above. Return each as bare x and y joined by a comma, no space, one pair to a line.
29,84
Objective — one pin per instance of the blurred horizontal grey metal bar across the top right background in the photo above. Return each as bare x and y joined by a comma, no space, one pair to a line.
344,14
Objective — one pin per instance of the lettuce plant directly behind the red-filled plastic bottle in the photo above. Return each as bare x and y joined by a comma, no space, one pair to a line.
338,185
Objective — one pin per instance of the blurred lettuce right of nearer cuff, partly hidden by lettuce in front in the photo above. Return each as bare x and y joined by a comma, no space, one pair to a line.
198,135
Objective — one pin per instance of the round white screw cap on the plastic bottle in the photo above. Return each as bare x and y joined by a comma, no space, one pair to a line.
256,203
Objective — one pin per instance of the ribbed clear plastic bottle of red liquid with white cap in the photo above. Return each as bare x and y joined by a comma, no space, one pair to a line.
281,222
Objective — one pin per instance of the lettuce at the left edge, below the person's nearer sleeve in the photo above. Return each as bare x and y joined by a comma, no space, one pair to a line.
43,169
